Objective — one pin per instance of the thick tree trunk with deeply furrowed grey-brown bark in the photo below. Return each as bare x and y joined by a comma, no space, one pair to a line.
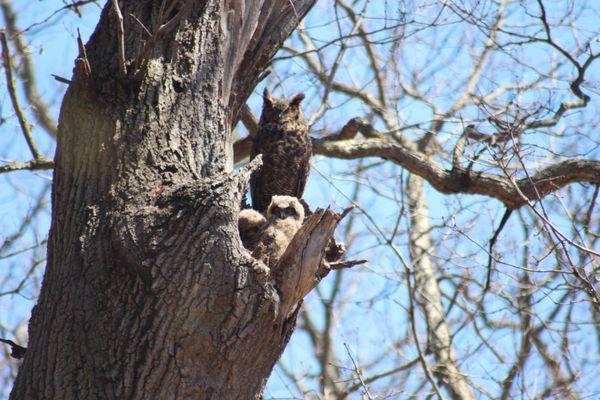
148,292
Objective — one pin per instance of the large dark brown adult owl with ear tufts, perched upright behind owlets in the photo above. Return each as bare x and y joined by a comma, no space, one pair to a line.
282,139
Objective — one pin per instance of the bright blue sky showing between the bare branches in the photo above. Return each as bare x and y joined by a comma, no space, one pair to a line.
376,291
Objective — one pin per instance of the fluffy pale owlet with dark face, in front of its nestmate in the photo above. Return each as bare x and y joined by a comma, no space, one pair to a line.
284,217
